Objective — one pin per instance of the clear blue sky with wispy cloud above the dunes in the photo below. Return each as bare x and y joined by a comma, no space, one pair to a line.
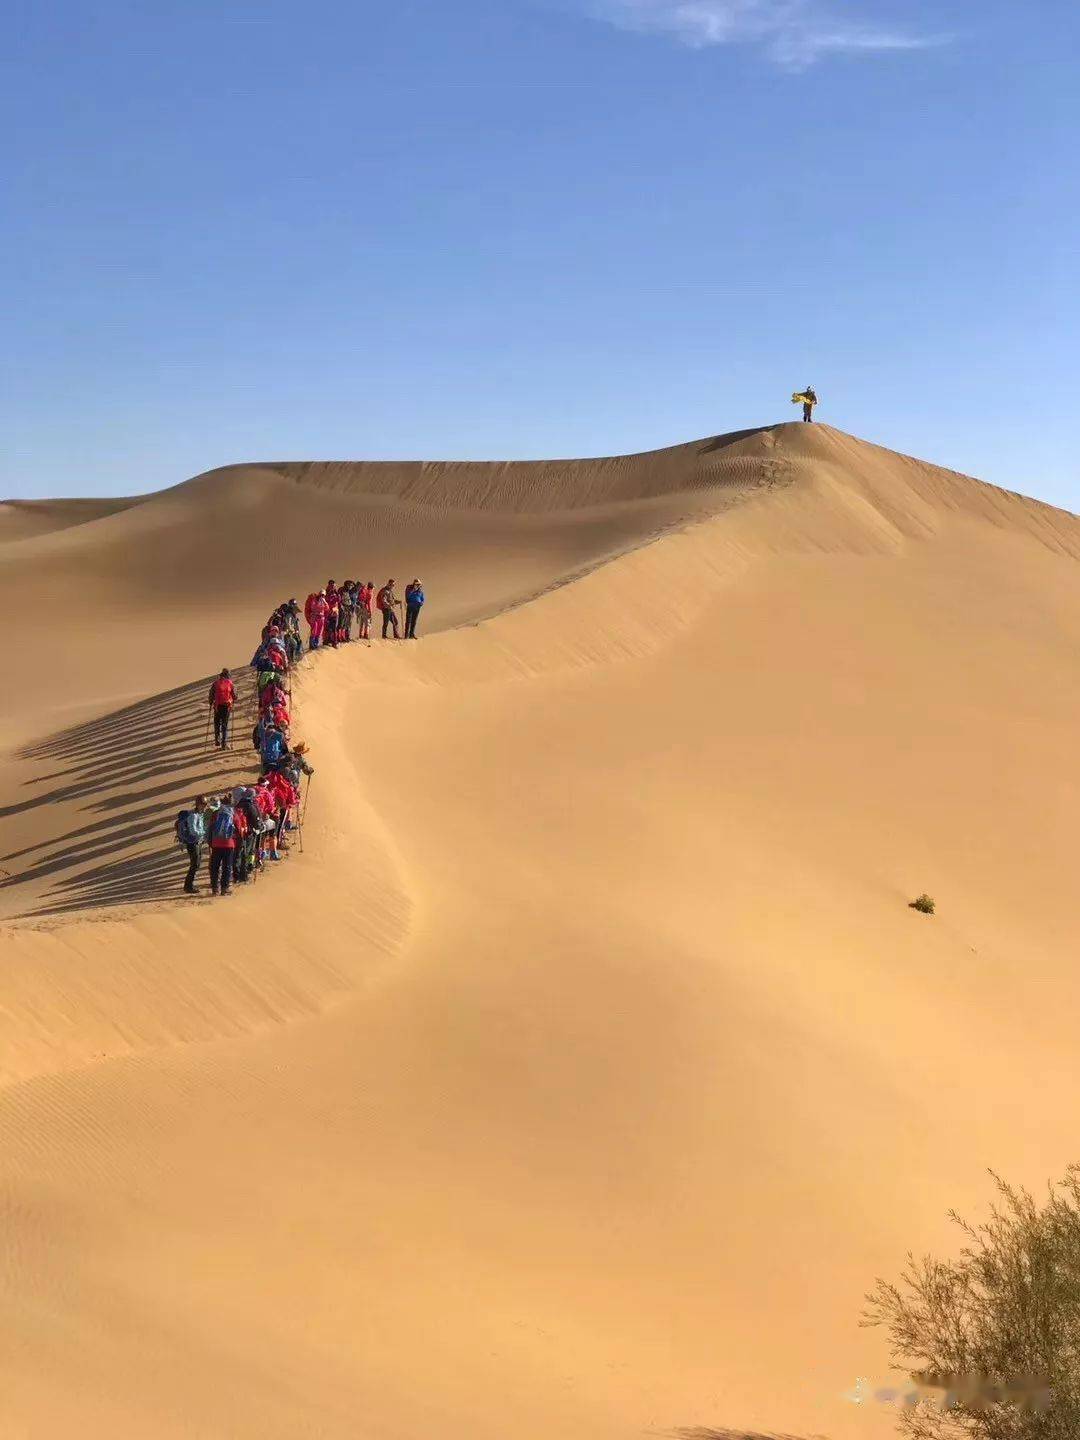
528,228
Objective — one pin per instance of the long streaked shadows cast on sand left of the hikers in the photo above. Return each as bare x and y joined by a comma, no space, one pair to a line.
110,791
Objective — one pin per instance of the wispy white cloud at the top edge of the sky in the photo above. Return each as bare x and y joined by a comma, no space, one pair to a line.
794,32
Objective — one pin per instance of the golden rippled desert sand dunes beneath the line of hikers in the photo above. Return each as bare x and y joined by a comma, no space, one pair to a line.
590,1065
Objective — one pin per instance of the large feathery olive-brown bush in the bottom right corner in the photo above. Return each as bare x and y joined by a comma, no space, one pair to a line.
993,1340
